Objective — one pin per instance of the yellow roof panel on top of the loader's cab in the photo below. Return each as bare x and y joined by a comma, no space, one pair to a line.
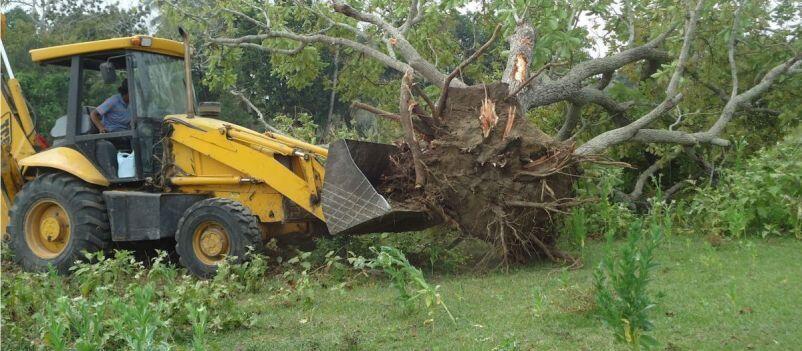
158,45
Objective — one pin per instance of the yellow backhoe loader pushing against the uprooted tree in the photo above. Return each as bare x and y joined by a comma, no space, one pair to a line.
175,172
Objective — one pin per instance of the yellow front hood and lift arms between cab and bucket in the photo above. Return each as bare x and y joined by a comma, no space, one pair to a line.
205,147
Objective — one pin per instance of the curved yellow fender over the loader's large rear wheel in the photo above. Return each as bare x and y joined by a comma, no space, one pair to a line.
67,160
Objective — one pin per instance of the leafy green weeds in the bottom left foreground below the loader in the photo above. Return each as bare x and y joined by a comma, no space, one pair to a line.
115,303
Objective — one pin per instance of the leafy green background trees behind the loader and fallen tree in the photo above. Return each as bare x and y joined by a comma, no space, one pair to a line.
262,79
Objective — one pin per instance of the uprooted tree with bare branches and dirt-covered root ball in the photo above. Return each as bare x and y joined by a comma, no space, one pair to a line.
474,157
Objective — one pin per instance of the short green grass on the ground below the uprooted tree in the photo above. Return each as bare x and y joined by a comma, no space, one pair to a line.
740,295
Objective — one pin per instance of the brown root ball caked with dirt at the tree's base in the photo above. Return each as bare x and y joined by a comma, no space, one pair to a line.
496,179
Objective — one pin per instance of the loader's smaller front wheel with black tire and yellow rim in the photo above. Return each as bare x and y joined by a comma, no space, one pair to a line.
214,229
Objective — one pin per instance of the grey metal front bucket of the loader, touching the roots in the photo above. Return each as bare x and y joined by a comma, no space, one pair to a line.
351,203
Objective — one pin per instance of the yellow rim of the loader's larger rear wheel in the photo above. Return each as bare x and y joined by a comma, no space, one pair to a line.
47,229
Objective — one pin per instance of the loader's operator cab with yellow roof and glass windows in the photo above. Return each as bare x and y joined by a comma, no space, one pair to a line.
152,72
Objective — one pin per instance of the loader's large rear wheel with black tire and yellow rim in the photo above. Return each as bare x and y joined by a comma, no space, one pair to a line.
56,217
